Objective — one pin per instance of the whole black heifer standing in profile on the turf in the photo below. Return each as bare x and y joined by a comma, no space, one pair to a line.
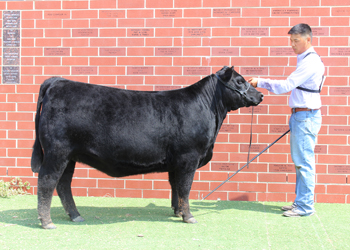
122,132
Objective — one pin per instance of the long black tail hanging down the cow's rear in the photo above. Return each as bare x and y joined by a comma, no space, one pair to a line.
38,154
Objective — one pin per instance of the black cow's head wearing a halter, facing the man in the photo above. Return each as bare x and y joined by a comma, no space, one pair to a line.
238,92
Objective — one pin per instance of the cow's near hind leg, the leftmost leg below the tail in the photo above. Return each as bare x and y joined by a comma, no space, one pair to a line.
49,174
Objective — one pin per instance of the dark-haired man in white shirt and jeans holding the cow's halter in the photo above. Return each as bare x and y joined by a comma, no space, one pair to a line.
305,122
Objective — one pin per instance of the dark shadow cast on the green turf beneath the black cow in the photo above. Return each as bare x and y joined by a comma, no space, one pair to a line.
98,215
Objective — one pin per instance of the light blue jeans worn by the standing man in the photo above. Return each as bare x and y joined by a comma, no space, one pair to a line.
304,127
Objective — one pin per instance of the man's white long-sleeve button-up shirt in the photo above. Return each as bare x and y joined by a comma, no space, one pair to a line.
308,74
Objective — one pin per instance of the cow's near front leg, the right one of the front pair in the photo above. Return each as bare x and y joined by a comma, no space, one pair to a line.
183,183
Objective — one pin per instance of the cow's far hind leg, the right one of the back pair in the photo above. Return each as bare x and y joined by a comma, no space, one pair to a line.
65,193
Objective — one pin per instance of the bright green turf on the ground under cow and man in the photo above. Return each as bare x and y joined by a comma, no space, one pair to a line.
123,223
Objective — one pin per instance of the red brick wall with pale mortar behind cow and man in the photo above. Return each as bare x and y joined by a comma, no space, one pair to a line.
169,44
